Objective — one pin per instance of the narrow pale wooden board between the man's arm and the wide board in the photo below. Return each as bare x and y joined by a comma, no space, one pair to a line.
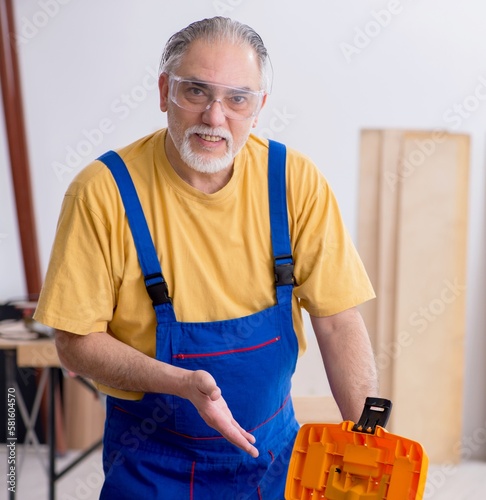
380,153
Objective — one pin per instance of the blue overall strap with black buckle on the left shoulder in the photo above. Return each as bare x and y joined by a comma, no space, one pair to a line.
147,255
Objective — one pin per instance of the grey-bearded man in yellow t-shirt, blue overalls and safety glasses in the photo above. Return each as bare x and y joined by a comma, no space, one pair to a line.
177,278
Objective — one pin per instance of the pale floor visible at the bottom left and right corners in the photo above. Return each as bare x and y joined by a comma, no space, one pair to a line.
466,481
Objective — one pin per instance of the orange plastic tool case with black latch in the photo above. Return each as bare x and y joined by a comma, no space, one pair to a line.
360,461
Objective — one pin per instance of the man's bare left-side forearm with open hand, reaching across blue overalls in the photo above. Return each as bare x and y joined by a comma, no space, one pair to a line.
101,357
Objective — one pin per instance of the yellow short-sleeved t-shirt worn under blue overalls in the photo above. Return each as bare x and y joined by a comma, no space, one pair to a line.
215,249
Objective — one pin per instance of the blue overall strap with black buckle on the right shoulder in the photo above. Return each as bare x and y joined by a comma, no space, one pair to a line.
279,224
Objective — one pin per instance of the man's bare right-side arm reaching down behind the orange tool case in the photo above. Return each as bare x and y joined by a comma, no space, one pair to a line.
348,359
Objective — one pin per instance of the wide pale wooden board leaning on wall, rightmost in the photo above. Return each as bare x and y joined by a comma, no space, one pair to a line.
430,293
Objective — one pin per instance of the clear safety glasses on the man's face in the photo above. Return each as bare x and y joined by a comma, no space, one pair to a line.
236,103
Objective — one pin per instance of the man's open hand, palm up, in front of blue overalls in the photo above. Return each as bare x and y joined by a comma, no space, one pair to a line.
206,396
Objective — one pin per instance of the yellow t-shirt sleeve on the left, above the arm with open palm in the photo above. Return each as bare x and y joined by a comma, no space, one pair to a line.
78,294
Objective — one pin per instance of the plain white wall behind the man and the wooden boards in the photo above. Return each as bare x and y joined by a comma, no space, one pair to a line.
340,66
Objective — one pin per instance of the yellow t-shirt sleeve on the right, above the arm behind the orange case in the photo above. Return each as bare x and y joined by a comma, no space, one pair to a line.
329,272
